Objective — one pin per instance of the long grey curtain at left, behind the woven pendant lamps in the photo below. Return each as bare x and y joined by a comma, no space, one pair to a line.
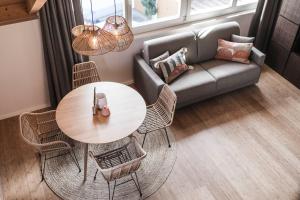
57,20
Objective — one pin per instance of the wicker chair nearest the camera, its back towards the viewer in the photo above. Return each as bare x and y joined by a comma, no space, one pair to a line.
121,162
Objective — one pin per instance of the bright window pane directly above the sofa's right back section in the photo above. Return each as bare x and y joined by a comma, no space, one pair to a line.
204,6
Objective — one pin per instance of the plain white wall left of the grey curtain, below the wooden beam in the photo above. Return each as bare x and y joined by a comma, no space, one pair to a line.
23,83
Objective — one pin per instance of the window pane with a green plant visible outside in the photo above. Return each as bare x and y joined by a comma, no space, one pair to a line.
150,11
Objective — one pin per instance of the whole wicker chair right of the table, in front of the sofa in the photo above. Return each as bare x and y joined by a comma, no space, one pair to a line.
160,114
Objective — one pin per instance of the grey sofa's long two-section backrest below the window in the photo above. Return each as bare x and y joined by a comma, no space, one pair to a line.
201,44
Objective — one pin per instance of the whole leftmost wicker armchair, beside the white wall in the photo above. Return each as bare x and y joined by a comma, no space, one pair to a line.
40,130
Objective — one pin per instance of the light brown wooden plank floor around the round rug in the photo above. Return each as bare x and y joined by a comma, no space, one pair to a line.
243,145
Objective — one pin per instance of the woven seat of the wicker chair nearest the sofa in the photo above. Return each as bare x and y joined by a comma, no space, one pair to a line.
152,122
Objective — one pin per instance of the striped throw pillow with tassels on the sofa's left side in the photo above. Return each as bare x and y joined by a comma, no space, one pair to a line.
173,66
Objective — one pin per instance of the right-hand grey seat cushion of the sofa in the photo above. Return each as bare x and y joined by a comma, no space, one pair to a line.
231,74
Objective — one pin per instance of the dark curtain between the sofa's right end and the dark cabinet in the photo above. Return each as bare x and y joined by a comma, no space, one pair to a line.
263,22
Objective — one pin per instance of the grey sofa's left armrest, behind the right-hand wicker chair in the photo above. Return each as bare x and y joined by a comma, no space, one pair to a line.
148,83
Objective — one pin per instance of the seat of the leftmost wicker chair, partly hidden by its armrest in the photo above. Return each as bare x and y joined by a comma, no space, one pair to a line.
53,137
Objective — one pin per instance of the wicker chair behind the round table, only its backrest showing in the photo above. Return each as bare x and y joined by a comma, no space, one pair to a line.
84,73
